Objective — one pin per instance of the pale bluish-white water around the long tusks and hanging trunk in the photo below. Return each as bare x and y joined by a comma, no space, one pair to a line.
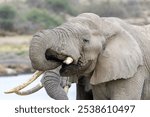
13,81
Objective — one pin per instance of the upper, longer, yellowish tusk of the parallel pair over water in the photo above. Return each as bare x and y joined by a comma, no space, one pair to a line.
18,88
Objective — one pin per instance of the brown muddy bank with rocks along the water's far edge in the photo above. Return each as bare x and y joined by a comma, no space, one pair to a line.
14,64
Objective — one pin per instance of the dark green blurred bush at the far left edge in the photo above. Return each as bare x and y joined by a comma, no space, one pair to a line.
7,16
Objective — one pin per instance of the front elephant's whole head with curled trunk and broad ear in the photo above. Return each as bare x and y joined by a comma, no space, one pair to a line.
87,45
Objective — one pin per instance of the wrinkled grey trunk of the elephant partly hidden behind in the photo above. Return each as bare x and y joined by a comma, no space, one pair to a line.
54,84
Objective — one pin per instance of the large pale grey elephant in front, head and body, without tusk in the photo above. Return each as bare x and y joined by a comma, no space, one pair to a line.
110,57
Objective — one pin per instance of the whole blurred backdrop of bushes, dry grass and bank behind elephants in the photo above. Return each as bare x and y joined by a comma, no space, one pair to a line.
20,19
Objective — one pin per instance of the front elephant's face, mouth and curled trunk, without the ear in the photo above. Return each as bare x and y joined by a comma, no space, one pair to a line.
79,39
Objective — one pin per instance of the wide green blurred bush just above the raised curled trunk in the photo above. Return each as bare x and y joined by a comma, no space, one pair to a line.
43,18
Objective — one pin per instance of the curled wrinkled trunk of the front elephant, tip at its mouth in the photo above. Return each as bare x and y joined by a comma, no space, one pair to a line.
37,51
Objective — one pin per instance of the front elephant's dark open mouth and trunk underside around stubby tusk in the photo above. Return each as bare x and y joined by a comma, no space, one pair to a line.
68,65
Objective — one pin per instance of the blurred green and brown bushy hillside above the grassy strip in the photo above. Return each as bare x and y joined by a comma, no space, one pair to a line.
29,16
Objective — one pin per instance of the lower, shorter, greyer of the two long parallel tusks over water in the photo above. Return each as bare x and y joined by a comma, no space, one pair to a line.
30,91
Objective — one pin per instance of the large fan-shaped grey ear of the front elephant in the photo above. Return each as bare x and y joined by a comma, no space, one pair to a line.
119,60
